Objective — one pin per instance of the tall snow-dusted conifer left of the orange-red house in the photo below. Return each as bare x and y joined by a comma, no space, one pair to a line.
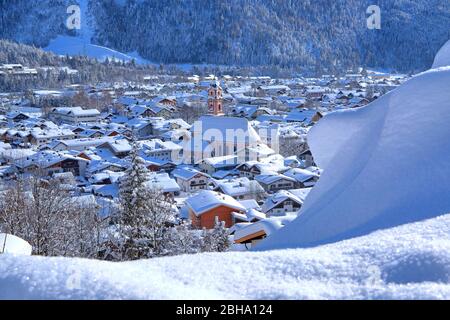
143,219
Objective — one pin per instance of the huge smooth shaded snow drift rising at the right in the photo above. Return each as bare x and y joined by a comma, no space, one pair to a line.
384,165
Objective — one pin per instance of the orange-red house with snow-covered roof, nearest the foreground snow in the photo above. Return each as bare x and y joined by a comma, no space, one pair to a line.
204,207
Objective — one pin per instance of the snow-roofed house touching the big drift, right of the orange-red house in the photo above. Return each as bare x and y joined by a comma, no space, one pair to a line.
284,201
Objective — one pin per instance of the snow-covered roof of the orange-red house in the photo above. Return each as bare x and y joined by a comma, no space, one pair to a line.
207,200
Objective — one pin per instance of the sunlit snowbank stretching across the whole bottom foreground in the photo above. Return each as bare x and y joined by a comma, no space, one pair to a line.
407,262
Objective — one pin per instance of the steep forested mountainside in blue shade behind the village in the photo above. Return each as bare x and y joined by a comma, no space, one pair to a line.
296,33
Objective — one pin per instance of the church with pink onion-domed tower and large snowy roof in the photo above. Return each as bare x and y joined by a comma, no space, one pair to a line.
217,135
